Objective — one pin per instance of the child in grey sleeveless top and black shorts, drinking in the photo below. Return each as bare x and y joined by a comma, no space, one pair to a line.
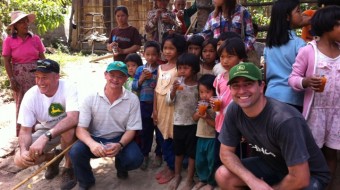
184,96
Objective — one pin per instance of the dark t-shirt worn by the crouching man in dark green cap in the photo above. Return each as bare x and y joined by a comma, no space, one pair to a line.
279,135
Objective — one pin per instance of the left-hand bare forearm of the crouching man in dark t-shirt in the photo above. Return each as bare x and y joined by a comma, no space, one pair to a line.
233,164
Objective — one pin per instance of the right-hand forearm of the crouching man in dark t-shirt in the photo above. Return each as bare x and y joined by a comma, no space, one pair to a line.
297,178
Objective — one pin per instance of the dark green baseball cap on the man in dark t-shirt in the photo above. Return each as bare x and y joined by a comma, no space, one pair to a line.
247,70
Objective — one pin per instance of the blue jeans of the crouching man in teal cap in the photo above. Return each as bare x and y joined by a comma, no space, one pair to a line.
129,158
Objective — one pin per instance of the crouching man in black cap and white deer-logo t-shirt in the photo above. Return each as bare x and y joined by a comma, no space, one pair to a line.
52,107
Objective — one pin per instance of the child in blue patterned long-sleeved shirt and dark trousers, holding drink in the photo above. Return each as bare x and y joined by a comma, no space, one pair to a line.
144,83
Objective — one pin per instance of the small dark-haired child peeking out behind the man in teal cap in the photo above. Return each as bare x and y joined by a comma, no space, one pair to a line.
132,61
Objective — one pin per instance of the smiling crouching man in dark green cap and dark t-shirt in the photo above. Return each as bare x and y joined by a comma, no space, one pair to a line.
285,154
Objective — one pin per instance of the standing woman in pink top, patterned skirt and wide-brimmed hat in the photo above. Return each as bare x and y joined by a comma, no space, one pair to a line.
21,50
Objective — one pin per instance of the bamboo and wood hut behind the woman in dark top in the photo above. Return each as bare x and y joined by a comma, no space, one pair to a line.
92,20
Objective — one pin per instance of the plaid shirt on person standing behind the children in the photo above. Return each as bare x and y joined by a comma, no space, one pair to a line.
216,25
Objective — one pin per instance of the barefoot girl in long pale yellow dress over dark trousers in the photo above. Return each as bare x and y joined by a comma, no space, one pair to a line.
173,45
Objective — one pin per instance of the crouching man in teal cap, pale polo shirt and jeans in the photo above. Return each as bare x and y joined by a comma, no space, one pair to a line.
108,121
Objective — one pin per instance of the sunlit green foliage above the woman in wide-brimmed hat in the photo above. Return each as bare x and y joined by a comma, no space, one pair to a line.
49,13
